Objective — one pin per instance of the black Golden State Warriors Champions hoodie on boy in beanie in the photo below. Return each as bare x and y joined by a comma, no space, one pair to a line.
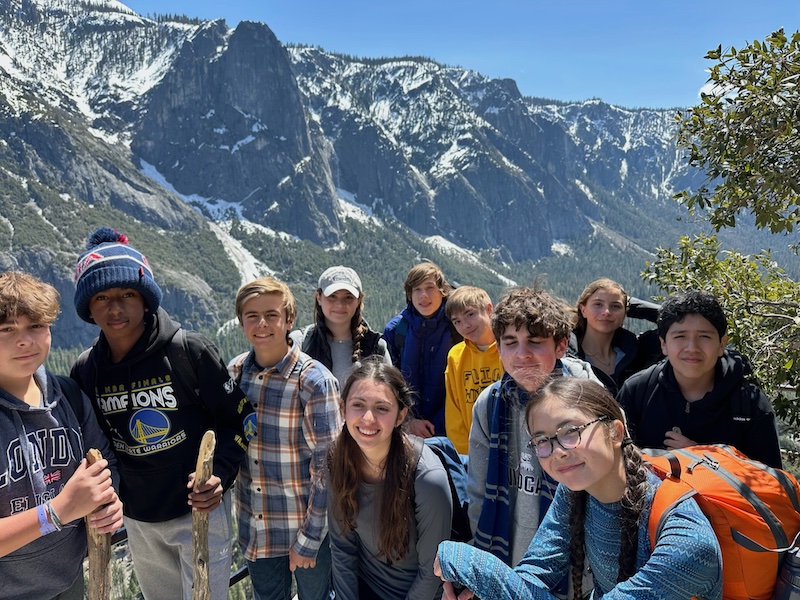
155,421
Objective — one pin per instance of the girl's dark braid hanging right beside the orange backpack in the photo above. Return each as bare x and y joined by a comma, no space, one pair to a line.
632,504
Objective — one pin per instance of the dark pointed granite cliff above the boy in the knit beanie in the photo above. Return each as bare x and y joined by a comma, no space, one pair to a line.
227,122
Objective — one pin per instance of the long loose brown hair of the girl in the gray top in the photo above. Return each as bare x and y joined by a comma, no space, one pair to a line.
345,462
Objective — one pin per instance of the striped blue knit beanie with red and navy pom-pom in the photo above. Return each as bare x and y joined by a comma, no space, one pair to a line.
110,262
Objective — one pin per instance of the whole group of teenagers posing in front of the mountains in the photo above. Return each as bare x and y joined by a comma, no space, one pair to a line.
319,434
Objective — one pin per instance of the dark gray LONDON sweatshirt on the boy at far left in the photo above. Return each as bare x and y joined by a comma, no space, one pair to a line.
40,448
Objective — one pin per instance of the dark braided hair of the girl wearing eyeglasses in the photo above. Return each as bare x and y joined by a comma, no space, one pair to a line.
592,398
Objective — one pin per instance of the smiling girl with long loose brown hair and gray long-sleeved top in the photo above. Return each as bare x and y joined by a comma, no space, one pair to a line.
389,505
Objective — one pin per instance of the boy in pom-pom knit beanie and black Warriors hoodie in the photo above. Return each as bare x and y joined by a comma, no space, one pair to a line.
156,389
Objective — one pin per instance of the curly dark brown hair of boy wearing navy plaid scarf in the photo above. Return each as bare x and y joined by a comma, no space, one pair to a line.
536,310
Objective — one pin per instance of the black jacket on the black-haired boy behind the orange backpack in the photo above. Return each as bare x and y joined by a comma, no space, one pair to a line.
734,412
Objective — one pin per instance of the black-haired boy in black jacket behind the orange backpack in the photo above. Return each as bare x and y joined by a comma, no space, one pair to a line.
700,394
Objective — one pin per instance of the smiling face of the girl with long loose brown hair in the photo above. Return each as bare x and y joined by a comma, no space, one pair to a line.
371,413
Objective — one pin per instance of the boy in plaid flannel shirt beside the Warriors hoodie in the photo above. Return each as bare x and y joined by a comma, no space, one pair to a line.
281,499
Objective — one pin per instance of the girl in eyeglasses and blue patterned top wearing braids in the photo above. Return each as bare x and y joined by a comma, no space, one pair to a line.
599,515
